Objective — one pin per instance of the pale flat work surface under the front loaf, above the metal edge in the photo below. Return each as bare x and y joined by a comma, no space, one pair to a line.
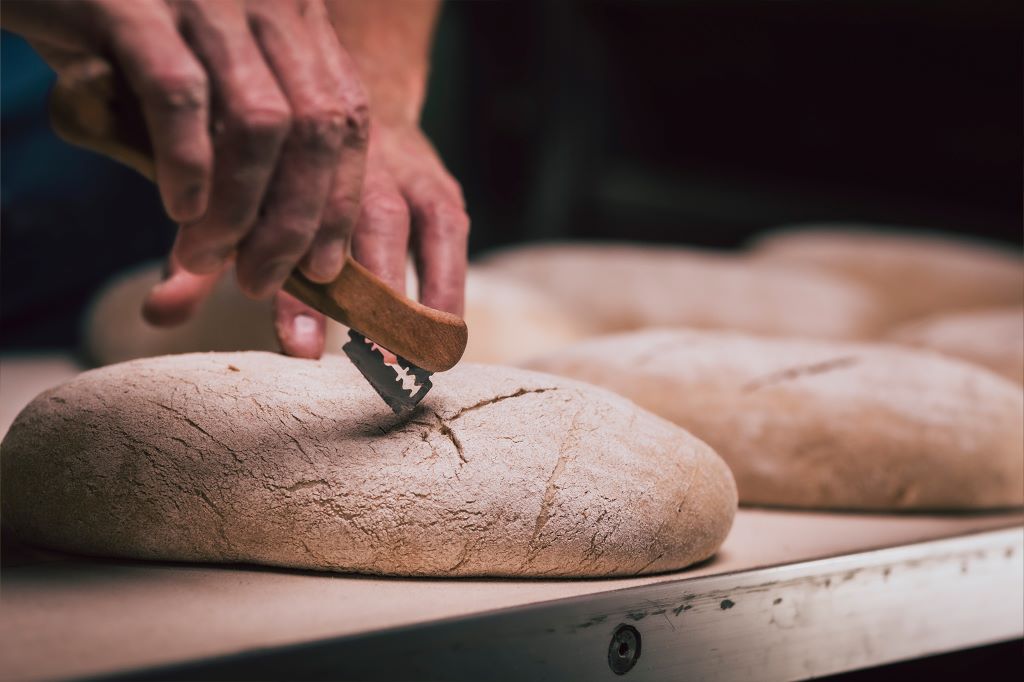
77,618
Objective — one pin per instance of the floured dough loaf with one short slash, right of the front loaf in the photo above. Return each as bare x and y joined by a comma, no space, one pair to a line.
825,424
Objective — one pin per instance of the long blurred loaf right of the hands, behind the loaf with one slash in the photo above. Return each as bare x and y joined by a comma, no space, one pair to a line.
617,287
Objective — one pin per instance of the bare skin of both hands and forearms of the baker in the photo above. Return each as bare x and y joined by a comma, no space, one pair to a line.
277,181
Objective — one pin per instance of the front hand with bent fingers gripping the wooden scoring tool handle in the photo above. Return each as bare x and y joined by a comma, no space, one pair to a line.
278,181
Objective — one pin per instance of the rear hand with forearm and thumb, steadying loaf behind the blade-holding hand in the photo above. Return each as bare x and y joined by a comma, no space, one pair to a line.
410,200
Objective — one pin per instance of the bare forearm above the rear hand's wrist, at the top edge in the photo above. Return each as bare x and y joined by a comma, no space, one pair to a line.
391,42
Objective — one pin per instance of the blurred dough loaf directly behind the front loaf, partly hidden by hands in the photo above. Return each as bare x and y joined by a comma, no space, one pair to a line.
508,322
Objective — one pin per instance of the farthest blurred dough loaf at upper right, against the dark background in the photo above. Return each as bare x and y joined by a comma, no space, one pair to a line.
914,275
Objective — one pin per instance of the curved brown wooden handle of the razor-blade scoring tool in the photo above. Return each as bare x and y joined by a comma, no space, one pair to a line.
87,110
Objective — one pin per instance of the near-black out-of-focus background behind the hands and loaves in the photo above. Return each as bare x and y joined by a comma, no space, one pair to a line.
689,122
